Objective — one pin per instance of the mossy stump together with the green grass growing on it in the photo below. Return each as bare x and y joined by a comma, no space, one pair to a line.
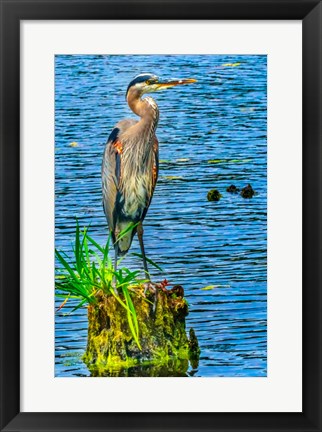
131,320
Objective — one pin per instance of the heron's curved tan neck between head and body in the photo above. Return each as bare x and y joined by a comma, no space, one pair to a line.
147,109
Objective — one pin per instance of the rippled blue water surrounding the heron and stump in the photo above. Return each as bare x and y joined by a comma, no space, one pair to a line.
212,134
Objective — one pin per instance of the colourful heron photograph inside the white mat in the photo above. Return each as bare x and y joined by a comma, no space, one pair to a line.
160,215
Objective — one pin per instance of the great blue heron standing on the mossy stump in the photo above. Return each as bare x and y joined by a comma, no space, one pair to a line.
130,164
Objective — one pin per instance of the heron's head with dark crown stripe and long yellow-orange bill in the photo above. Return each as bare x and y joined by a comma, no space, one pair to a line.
149,83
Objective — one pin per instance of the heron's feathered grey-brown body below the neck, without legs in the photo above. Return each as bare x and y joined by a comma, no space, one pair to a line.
127,183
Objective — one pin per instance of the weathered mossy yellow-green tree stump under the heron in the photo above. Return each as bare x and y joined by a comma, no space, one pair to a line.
165,347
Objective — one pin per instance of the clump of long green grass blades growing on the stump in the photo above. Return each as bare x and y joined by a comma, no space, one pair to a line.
91,271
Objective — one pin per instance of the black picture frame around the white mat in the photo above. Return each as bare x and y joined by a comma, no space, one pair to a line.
12,12
